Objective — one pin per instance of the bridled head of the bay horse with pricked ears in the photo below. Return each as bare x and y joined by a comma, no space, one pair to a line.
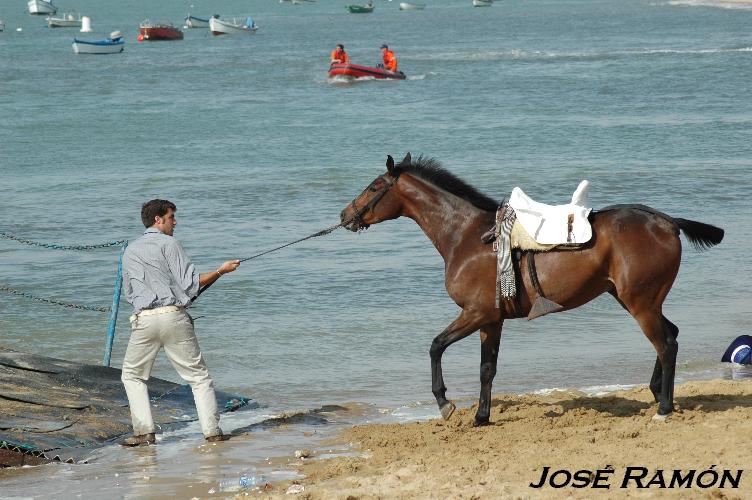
377,202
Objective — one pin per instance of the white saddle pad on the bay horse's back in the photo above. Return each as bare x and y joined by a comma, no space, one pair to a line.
549,224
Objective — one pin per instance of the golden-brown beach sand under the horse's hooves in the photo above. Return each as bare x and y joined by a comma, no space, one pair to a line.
563,430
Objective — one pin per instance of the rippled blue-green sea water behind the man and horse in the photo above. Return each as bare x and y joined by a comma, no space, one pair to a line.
648,100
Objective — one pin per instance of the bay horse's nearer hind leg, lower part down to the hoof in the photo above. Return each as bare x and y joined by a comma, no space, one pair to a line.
662,334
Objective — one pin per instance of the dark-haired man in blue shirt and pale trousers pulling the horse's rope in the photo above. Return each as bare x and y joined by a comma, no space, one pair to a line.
159,282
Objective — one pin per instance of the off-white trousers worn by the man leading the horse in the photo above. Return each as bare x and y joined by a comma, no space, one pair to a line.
174,331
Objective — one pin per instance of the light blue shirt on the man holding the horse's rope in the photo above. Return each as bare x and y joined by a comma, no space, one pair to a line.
157,272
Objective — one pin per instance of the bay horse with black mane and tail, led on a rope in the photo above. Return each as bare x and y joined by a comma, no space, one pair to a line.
634,254
